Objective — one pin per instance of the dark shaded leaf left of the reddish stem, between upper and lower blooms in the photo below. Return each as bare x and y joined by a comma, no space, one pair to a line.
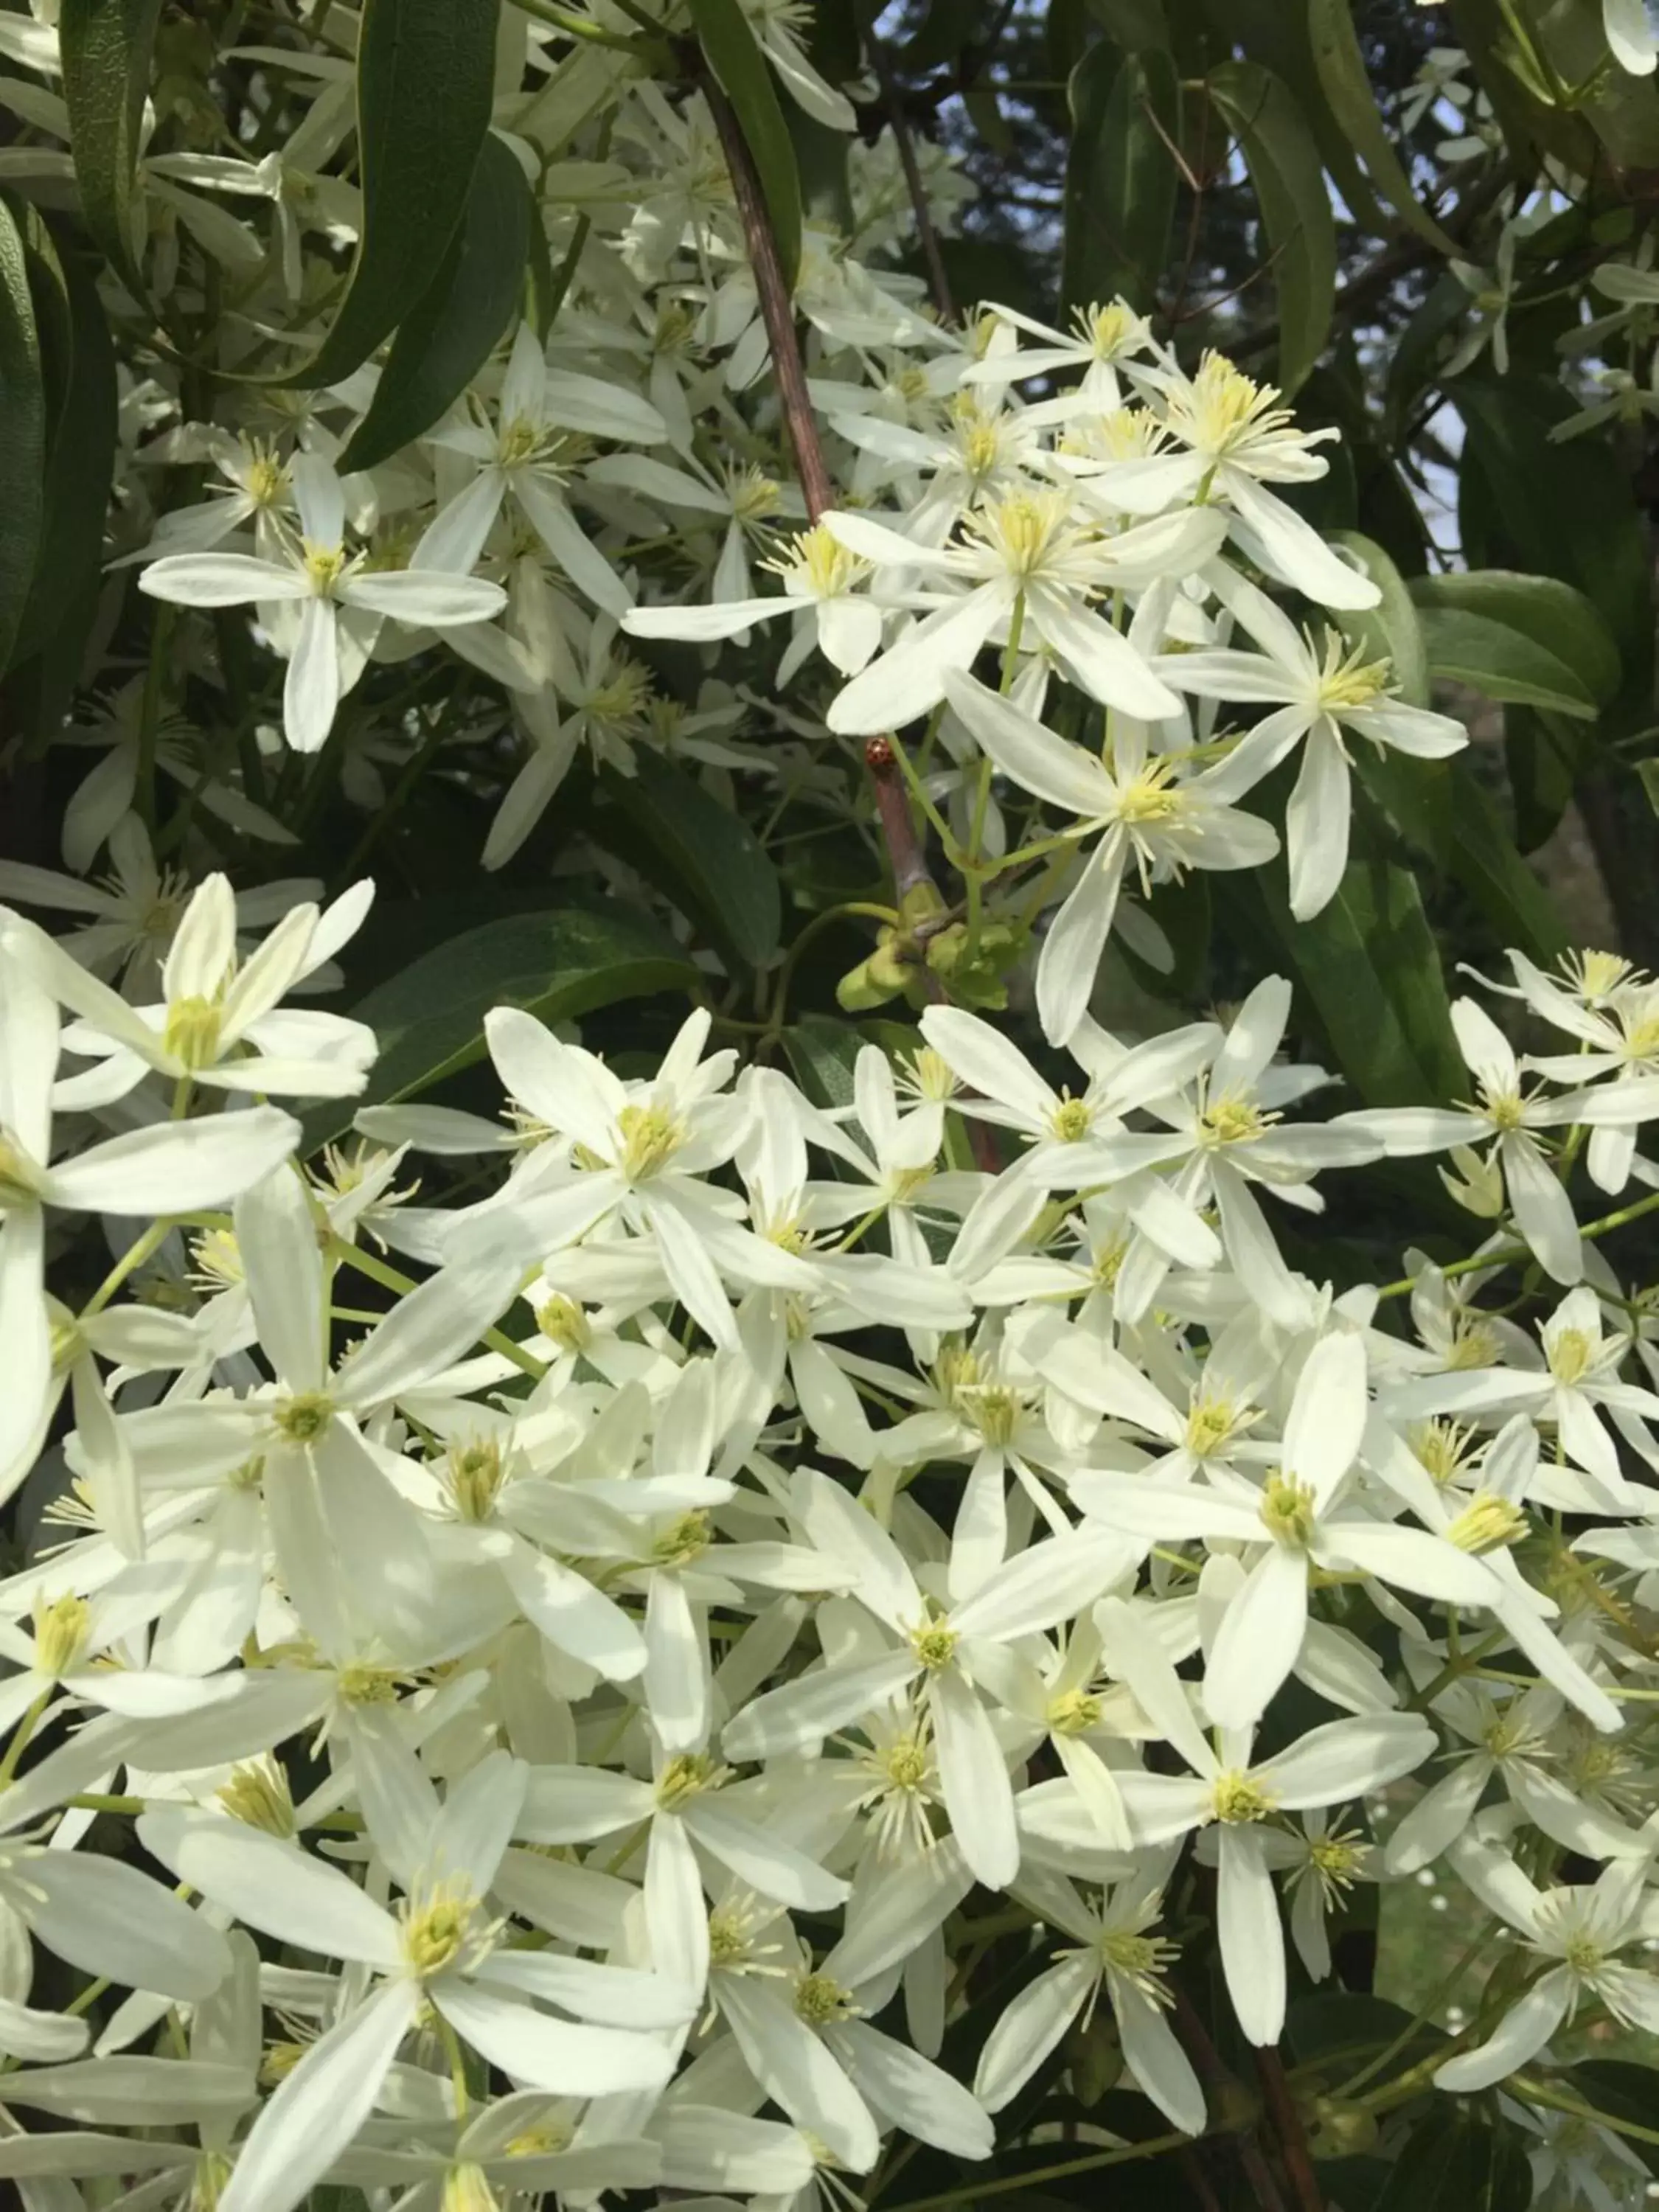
713,864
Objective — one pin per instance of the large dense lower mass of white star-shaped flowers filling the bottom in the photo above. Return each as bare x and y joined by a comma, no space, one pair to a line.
607,1667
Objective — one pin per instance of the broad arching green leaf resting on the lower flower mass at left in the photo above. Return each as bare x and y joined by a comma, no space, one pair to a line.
556,966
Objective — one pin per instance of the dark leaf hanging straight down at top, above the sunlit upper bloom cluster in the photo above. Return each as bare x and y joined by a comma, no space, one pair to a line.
1120,176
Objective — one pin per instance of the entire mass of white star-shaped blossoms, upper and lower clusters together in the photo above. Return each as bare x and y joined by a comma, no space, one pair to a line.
581,1600
